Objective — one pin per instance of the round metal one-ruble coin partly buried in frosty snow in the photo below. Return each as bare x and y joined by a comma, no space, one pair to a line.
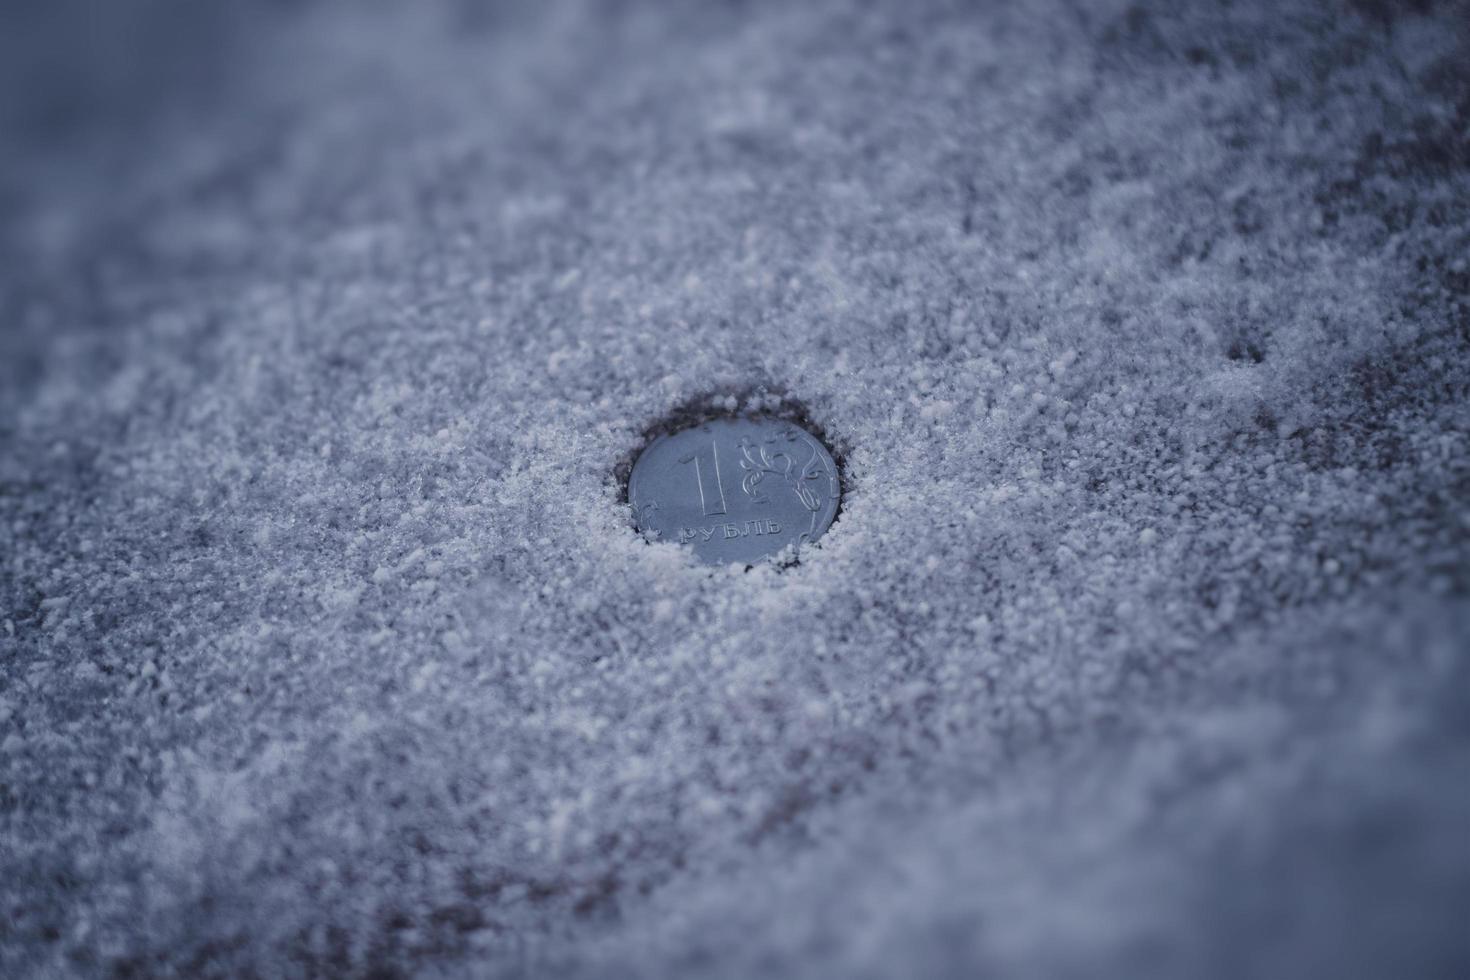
736,490
